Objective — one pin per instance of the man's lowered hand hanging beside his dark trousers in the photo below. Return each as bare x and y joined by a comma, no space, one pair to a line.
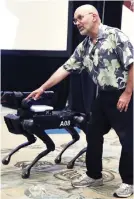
123,101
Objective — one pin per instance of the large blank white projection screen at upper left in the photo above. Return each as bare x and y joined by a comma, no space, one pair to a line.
35,25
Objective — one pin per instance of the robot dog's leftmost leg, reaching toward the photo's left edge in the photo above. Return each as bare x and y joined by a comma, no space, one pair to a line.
31,140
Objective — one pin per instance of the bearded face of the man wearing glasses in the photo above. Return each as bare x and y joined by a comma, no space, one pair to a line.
84,21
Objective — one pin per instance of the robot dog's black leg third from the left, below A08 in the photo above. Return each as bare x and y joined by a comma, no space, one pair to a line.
75,137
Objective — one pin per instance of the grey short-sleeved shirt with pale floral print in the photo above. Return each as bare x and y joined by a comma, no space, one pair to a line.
107,61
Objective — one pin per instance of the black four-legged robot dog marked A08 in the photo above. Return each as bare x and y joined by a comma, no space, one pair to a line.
34,117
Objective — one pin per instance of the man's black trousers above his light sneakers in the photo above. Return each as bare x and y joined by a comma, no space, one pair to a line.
105,116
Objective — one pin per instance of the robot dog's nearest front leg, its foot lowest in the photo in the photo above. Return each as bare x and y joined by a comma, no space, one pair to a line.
50,147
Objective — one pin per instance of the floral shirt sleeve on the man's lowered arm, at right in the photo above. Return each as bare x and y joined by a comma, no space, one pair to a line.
124,50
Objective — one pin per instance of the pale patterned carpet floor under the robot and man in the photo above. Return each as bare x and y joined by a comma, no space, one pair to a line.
51,181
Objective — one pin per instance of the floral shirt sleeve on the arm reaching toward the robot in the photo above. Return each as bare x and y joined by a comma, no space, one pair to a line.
74,63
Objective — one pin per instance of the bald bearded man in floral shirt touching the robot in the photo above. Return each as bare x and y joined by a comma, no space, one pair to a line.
106,53
